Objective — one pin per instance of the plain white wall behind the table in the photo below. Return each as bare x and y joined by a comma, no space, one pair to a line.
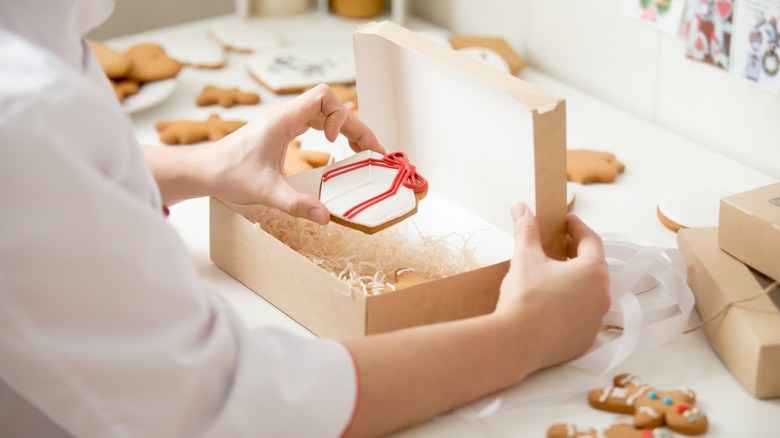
595,47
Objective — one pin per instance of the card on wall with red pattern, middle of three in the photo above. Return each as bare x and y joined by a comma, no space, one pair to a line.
708,27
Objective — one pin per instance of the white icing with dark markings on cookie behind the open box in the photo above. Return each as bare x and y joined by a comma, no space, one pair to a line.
288,68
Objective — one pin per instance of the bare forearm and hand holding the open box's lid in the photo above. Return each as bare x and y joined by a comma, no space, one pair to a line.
548,312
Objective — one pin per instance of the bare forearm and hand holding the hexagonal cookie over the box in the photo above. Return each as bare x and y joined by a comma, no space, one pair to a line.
247,166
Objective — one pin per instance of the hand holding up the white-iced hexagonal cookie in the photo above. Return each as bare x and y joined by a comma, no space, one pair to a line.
250,162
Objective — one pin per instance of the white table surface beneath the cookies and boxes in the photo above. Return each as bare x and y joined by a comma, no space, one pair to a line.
657,162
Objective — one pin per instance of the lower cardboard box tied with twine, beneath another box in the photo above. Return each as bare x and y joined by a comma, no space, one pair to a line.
747,335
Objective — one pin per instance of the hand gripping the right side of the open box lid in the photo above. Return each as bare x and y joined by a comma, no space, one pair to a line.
555,307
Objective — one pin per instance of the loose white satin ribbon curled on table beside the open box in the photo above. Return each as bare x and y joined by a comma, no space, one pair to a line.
643,328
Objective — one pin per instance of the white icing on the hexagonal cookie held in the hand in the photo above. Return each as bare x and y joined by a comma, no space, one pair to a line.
341,193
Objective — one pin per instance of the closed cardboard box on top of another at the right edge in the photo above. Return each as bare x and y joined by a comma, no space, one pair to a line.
749,228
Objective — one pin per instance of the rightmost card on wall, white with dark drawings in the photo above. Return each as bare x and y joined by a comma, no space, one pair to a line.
756,53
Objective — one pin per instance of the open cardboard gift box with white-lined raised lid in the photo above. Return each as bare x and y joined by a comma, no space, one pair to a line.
483,139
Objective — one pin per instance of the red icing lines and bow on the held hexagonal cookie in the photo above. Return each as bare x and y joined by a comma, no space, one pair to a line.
407,176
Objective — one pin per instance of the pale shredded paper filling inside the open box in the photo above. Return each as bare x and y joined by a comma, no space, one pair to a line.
369,262
